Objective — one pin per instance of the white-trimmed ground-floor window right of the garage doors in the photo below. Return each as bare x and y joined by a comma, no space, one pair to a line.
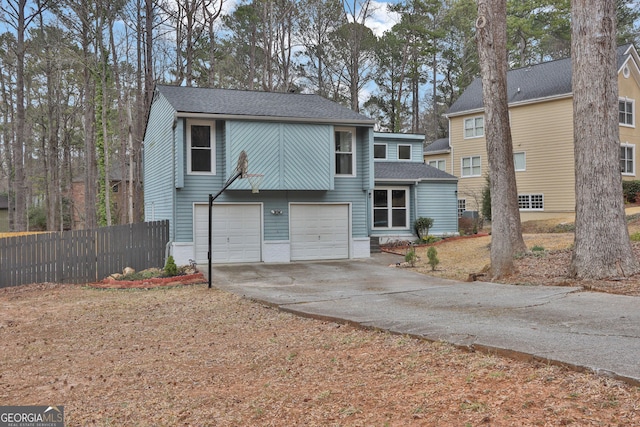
390,208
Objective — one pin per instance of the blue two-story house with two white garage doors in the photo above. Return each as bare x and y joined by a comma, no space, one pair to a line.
320,197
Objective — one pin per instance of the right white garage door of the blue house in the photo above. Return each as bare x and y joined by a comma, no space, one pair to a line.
319,232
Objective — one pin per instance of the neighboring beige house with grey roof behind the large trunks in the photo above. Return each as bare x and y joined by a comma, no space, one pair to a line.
541,114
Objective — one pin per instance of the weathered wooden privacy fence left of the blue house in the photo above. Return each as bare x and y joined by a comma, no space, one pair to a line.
82,256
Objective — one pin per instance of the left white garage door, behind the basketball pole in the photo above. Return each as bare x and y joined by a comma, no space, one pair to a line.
237,233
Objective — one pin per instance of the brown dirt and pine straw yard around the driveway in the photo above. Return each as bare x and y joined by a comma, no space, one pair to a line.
192,356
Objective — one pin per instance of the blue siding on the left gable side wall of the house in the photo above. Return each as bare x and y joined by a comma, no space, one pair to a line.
159,163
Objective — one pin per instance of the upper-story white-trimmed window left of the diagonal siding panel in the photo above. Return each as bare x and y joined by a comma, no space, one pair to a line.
201,152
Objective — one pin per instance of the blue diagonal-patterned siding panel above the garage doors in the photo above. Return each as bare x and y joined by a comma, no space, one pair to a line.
291,156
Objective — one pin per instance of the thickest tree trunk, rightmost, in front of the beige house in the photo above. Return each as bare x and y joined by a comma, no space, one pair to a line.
602,247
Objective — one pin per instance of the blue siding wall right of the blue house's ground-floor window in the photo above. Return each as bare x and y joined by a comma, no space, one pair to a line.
439,200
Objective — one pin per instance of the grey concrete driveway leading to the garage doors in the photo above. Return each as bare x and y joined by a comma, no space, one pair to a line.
585,330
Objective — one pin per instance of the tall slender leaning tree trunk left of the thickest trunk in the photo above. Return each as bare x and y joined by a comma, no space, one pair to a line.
506,234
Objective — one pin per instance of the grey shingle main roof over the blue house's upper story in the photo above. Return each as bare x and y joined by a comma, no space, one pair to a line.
230,102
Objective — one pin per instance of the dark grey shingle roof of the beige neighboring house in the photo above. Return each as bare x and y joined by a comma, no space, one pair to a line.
523,84
